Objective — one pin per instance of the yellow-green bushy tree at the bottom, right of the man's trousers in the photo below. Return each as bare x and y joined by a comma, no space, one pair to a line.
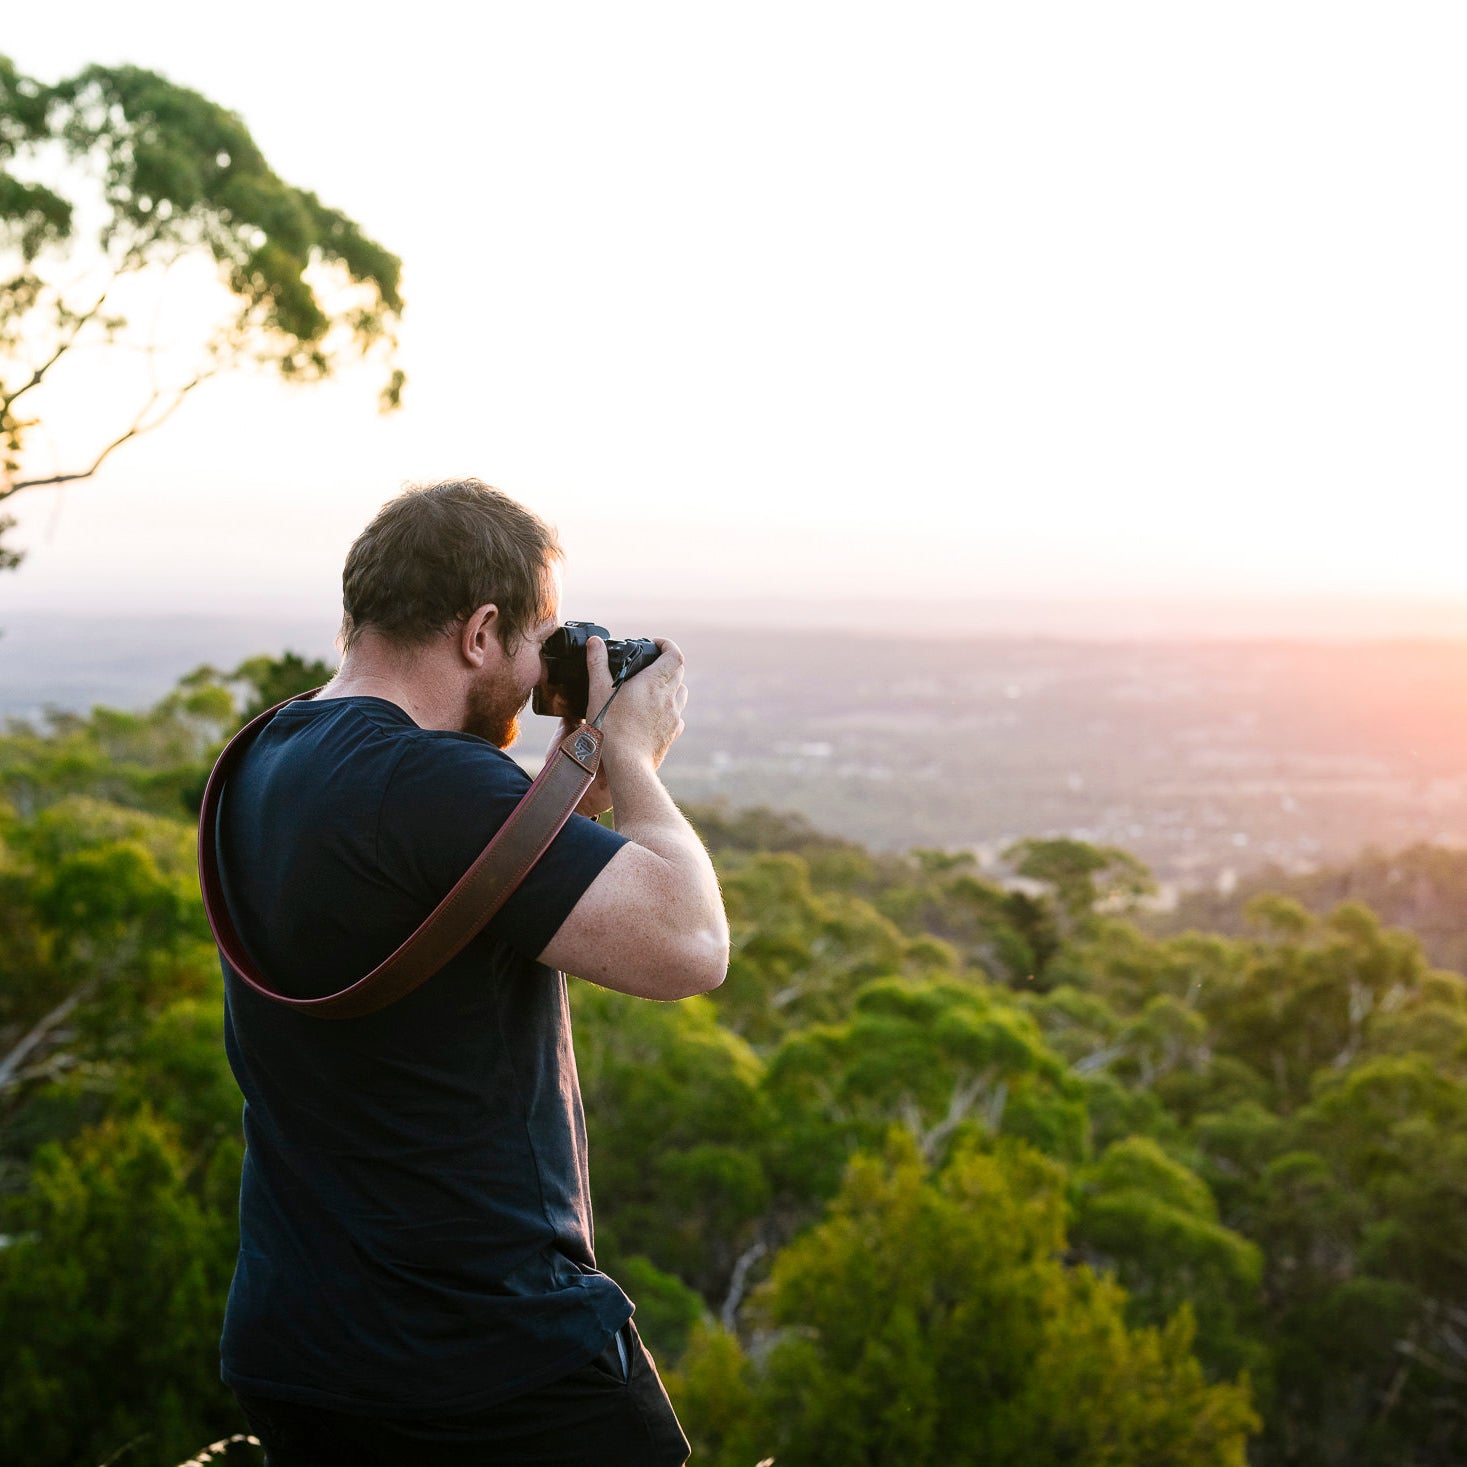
929,1320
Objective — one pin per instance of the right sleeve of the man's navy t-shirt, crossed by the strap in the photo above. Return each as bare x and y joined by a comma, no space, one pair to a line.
447,799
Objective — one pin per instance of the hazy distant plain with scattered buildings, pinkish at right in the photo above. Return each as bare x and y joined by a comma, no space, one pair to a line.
1207,759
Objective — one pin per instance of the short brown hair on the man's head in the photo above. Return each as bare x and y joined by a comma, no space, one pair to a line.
438,552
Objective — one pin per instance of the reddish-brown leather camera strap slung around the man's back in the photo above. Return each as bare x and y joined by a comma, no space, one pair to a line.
450,928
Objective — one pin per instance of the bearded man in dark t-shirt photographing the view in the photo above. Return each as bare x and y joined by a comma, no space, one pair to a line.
416,1280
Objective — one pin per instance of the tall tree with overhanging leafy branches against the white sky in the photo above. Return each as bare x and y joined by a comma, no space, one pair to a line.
117,178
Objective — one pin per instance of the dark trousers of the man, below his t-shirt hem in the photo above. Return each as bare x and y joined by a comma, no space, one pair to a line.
598,1415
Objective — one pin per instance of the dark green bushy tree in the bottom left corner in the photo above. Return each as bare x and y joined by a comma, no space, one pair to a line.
111,1296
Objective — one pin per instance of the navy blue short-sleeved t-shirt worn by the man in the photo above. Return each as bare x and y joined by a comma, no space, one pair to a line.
416,1217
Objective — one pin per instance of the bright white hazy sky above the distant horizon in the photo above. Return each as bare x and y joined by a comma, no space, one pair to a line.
835,303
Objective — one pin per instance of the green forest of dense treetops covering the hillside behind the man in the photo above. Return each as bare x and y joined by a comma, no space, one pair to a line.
945,1173
